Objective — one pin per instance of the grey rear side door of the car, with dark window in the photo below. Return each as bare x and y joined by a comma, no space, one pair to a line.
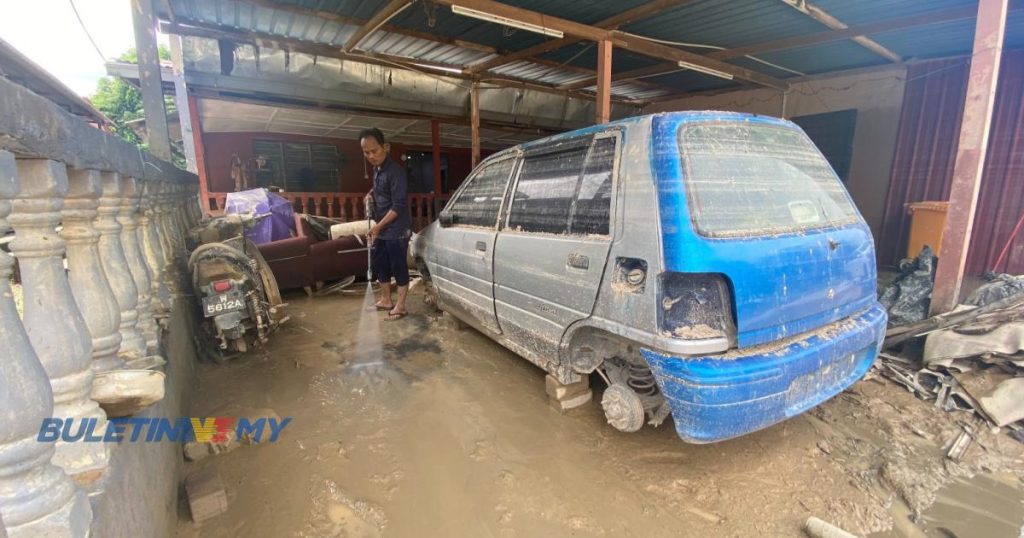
550,255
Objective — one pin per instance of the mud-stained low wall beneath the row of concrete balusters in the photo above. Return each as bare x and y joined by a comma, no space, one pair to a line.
141,489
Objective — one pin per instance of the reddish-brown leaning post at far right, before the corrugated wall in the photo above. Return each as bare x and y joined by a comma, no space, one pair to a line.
971,151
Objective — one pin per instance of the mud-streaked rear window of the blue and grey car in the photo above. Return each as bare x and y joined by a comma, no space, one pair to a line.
751,180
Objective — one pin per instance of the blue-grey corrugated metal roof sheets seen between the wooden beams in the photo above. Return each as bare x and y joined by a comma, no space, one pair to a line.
720,23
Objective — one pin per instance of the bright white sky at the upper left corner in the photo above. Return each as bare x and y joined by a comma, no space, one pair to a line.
48,32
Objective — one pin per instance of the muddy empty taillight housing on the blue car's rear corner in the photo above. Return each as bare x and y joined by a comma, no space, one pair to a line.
695,307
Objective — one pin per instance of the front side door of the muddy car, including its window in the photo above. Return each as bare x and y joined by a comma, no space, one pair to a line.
462,252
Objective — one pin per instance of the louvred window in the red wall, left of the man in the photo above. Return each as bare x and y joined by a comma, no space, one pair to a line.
298,167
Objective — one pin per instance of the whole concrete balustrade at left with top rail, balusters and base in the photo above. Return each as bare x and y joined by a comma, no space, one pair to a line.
83,320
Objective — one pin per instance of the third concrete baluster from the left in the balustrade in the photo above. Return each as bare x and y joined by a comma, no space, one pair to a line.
86,270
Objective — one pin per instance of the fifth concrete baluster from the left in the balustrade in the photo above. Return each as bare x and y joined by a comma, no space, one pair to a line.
129,219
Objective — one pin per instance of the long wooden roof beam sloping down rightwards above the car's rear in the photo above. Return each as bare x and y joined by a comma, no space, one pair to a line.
629,43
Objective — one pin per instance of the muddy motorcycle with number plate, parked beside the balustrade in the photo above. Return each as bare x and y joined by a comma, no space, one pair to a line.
239,297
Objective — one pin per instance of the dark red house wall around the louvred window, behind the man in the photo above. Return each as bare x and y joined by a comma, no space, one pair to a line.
221,147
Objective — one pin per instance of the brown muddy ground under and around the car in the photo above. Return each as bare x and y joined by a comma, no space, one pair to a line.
452,435
